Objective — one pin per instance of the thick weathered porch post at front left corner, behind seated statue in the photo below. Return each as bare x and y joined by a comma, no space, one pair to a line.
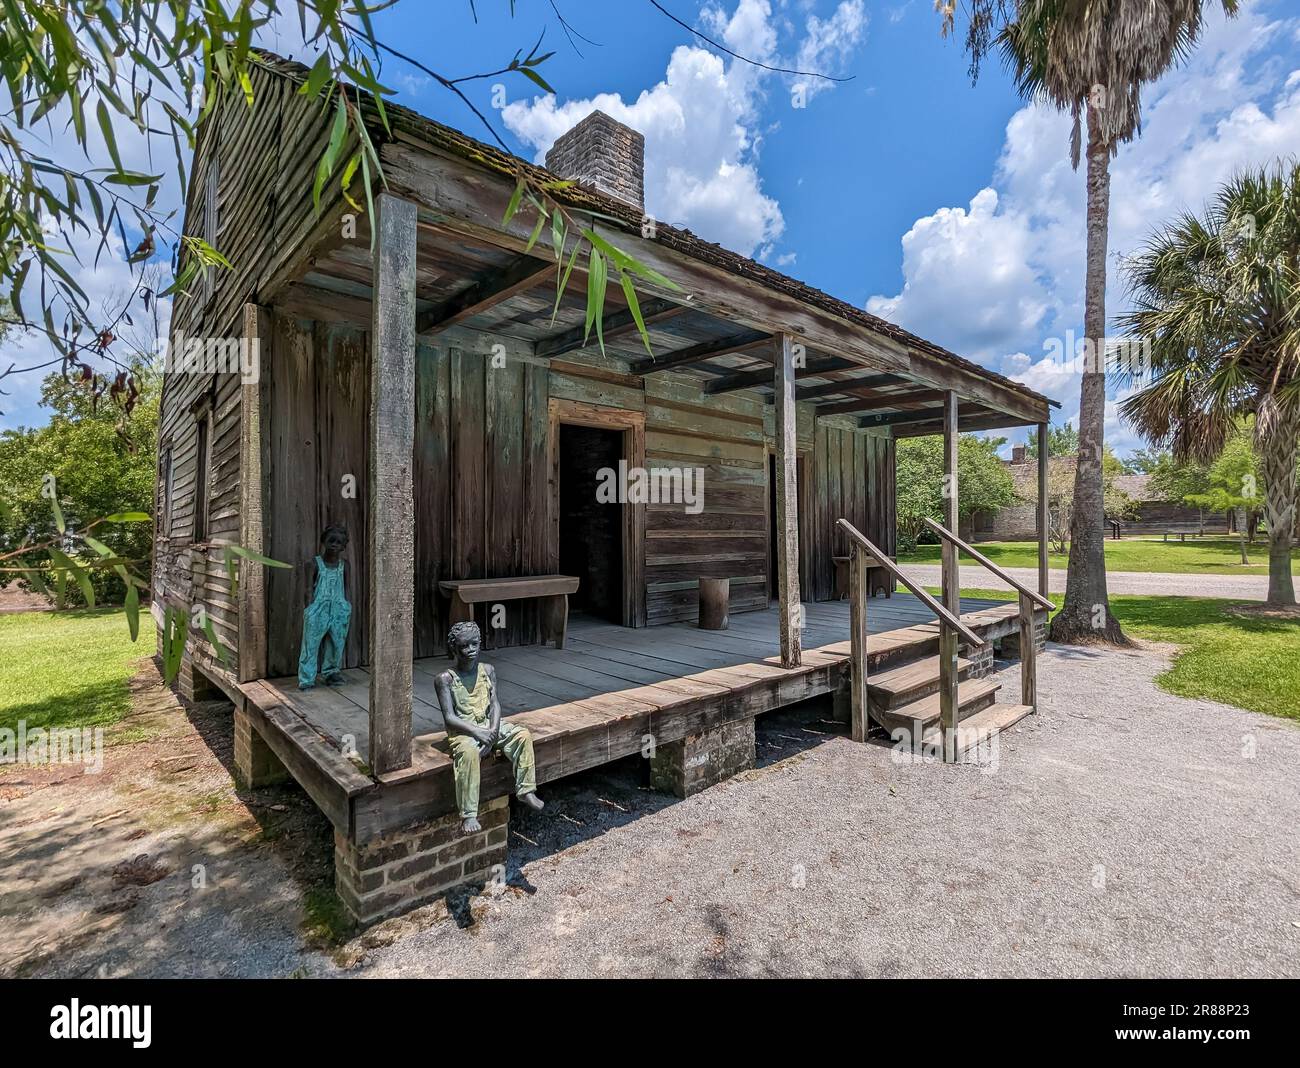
391,549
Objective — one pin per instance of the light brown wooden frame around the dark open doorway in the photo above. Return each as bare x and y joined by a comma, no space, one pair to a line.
634,428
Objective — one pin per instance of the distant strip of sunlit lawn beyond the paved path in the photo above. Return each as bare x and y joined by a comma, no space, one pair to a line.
1194,557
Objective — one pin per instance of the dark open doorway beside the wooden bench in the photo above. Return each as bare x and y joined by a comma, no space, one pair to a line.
591,529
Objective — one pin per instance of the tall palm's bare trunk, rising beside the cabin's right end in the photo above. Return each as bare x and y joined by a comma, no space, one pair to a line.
1086,615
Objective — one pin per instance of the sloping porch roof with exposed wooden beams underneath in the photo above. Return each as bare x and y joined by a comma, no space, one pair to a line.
859,364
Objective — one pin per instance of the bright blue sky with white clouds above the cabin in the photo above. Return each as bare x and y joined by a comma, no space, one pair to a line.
948,209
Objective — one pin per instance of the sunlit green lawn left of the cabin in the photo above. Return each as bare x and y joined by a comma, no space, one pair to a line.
68,668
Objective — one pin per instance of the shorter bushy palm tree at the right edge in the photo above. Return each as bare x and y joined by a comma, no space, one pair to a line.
1217,301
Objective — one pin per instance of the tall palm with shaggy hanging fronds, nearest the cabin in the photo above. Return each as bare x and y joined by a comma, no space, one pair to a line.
1089,57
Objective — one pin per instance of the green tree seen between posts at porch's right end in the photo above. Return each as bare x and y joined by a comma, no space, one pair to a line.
983,483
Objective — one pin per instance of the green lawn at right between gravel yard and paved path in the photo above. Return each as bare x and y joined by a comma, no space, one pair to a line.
1251,663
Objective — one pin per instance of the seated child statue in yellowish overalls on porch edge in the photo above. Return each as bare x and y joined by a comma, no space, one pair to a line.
467,693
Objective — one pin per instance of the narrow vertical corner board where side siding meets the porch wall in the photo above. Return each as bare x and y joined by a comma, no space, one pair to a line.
253,496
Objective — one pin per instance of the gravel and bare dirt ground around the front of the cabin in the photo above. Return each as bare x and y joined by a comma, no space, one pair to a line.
1123,832
